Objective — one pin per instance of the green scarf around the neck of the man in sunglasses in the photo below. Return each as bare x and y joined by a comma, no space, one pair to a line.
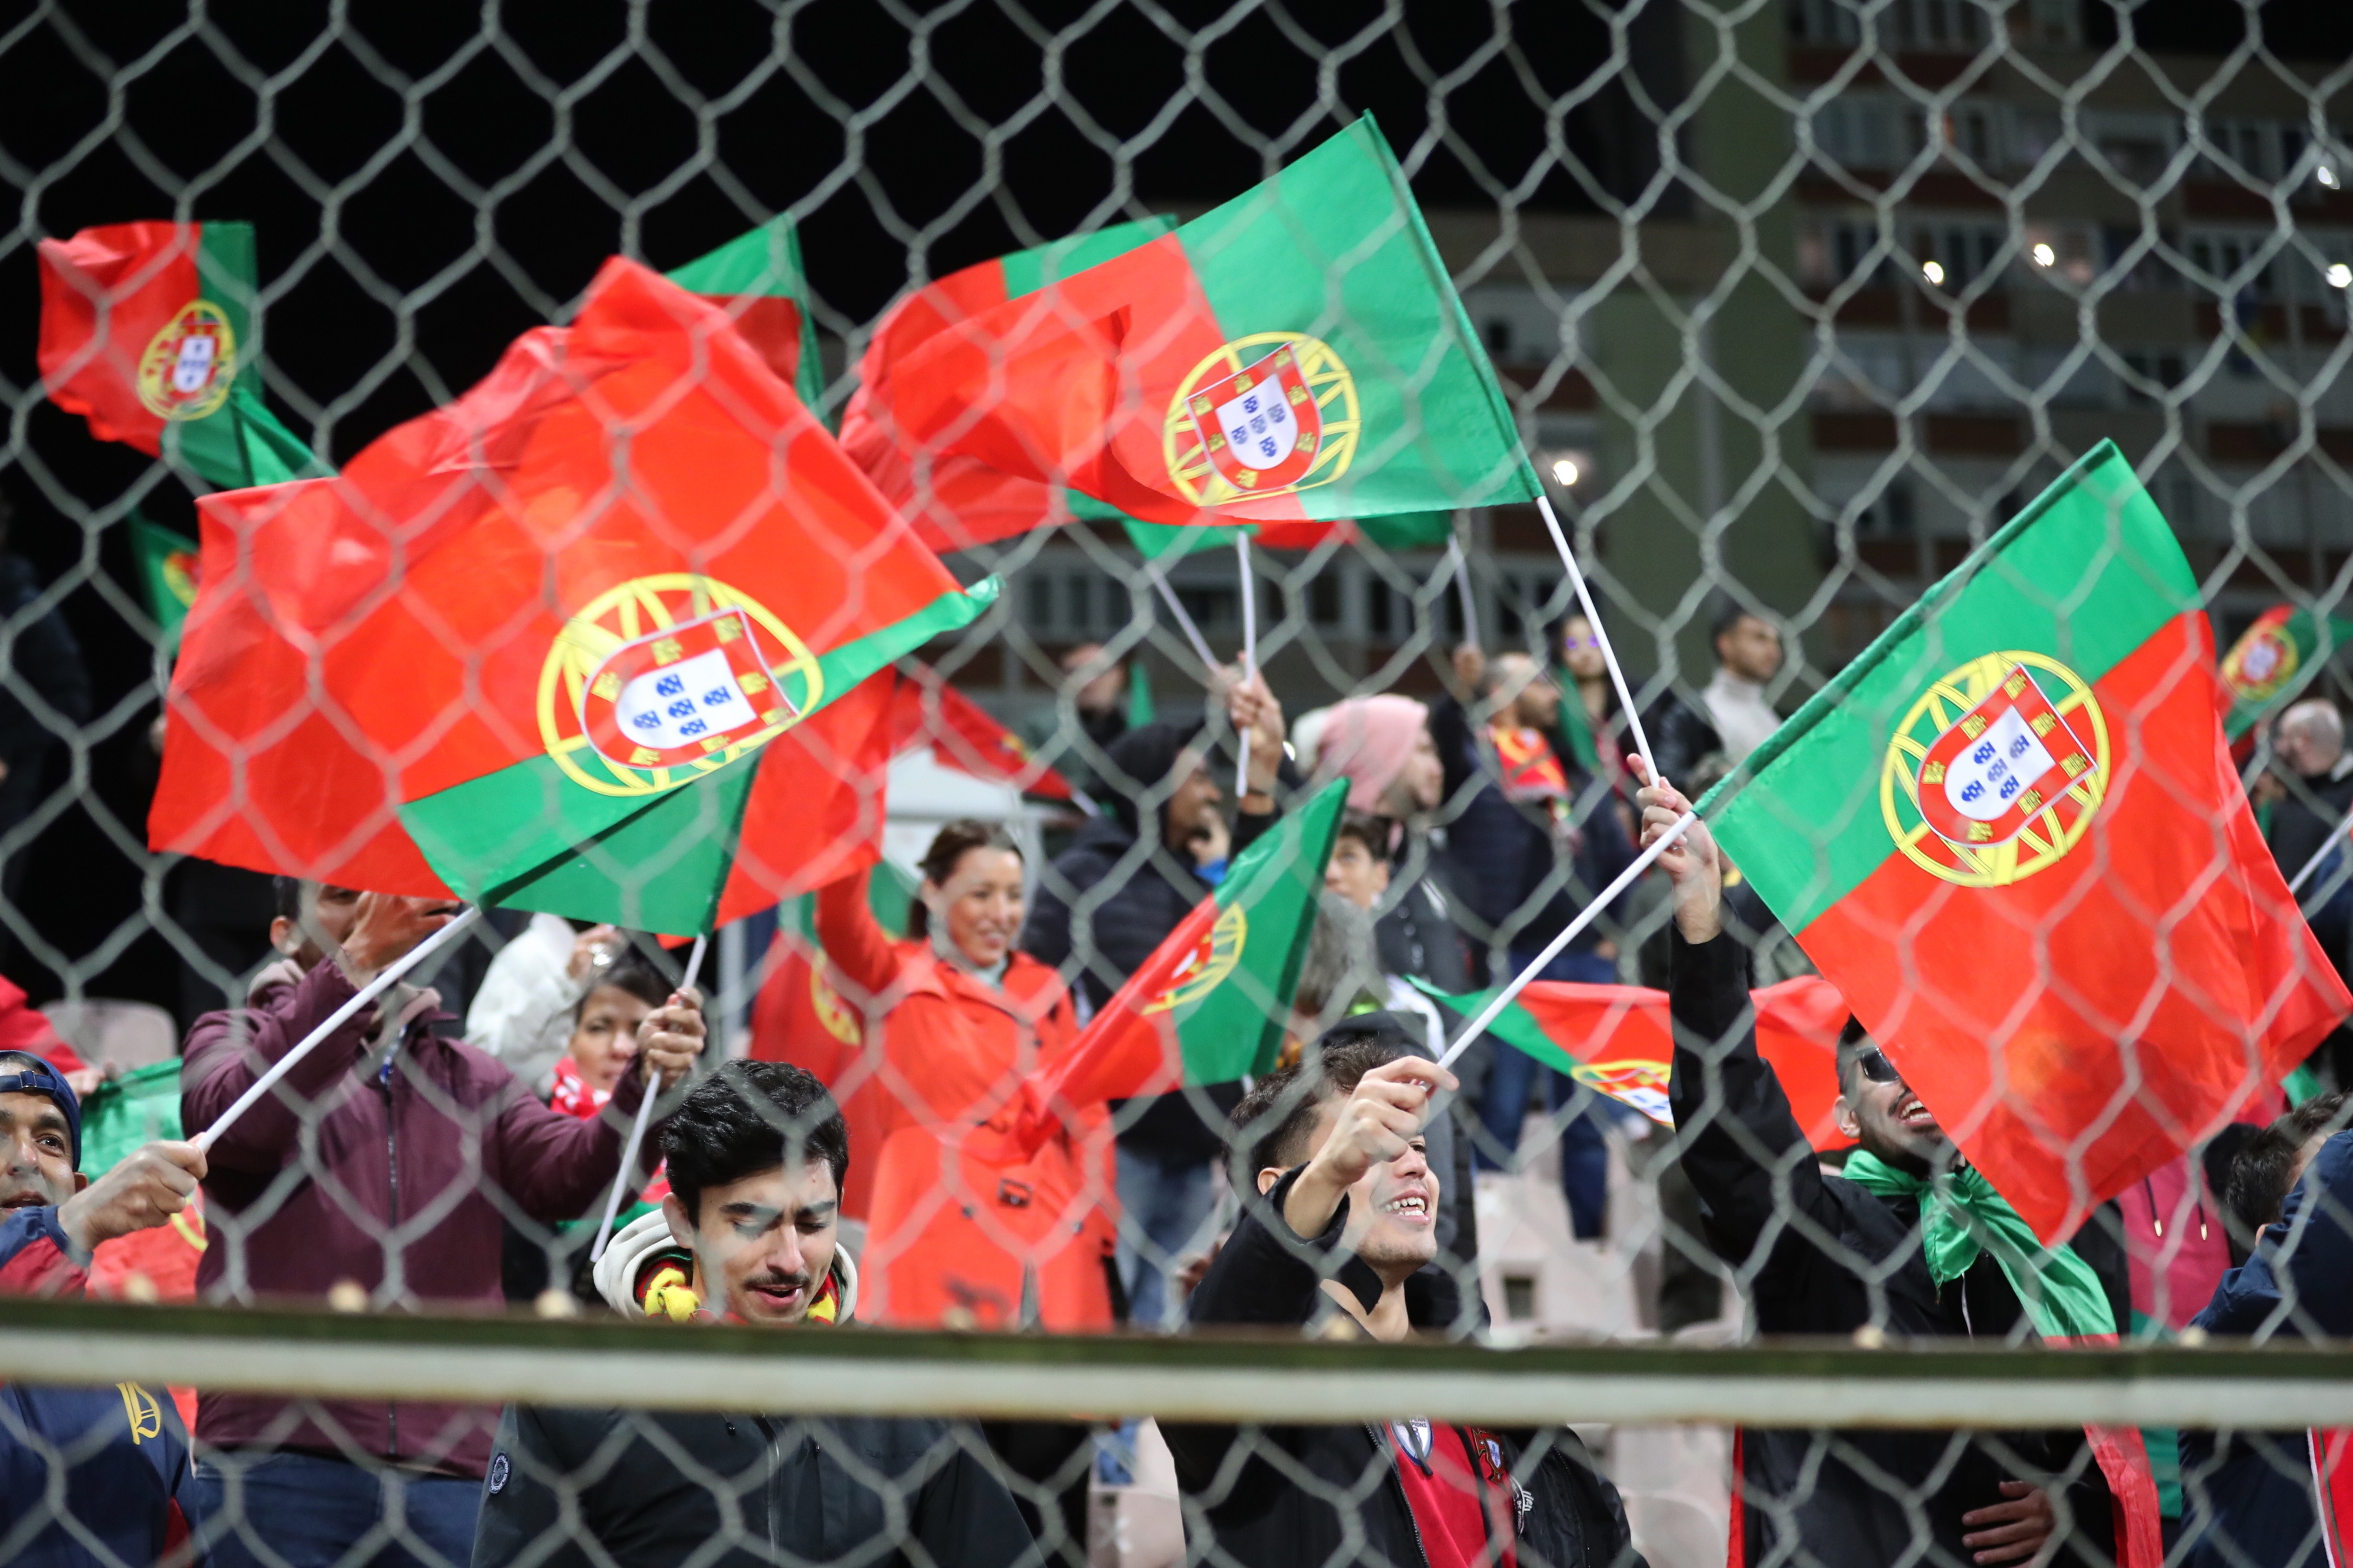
1961,1216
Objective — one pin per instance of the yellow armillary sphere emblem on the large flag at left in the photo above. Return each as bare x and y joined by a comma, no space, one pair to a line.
667,679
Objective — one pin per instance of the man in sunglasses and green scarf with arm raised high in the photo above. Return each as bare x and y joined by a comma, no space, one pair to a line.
1881,1249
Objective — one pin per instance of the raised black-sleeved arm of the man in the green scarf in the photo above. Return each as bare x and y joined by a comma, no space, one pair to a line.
1740,1136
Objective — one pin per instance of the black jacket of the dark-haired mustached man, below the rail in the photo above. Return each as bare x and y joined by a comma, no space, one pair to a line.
740,1491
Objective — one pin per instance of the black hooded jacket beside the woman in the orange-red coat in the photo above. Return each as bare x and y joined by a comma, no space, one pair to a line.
1109,901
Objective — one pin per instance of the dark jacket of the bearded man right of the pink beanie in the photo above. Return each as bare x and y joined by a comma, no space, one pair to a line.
1514,886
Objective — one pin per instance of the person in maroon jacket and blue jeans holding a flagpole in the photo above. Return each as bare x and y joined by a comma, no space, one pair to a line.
378,1171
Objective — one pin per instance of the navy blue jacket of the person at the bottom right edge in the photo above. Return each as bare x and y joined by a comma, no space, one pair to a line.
2248,1496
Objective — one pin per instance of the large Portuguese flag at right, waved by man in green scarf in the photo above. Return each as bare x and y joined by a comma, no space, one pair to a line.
2011,835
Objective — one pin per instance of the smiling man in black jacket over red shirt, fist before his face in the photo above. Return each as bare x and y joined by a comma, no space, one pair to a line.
1342,1237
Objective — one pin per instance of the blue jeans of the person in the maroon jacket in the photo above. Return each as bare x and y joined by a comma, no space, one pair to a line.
309,1513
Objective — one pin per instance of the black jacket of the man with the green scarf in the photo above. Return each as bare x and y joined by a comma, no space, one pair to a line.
1846,1496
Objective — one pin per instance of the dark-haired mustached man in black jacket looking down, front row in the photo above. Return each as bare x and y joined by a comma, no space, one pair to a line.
756,1160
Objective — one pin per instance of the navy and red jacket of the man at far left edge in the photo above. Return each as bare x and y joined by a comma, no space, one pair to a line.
126,1451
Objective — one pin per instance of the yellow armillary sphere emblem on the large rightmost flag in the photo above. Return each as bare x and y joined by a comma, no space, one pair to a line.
1997,771
